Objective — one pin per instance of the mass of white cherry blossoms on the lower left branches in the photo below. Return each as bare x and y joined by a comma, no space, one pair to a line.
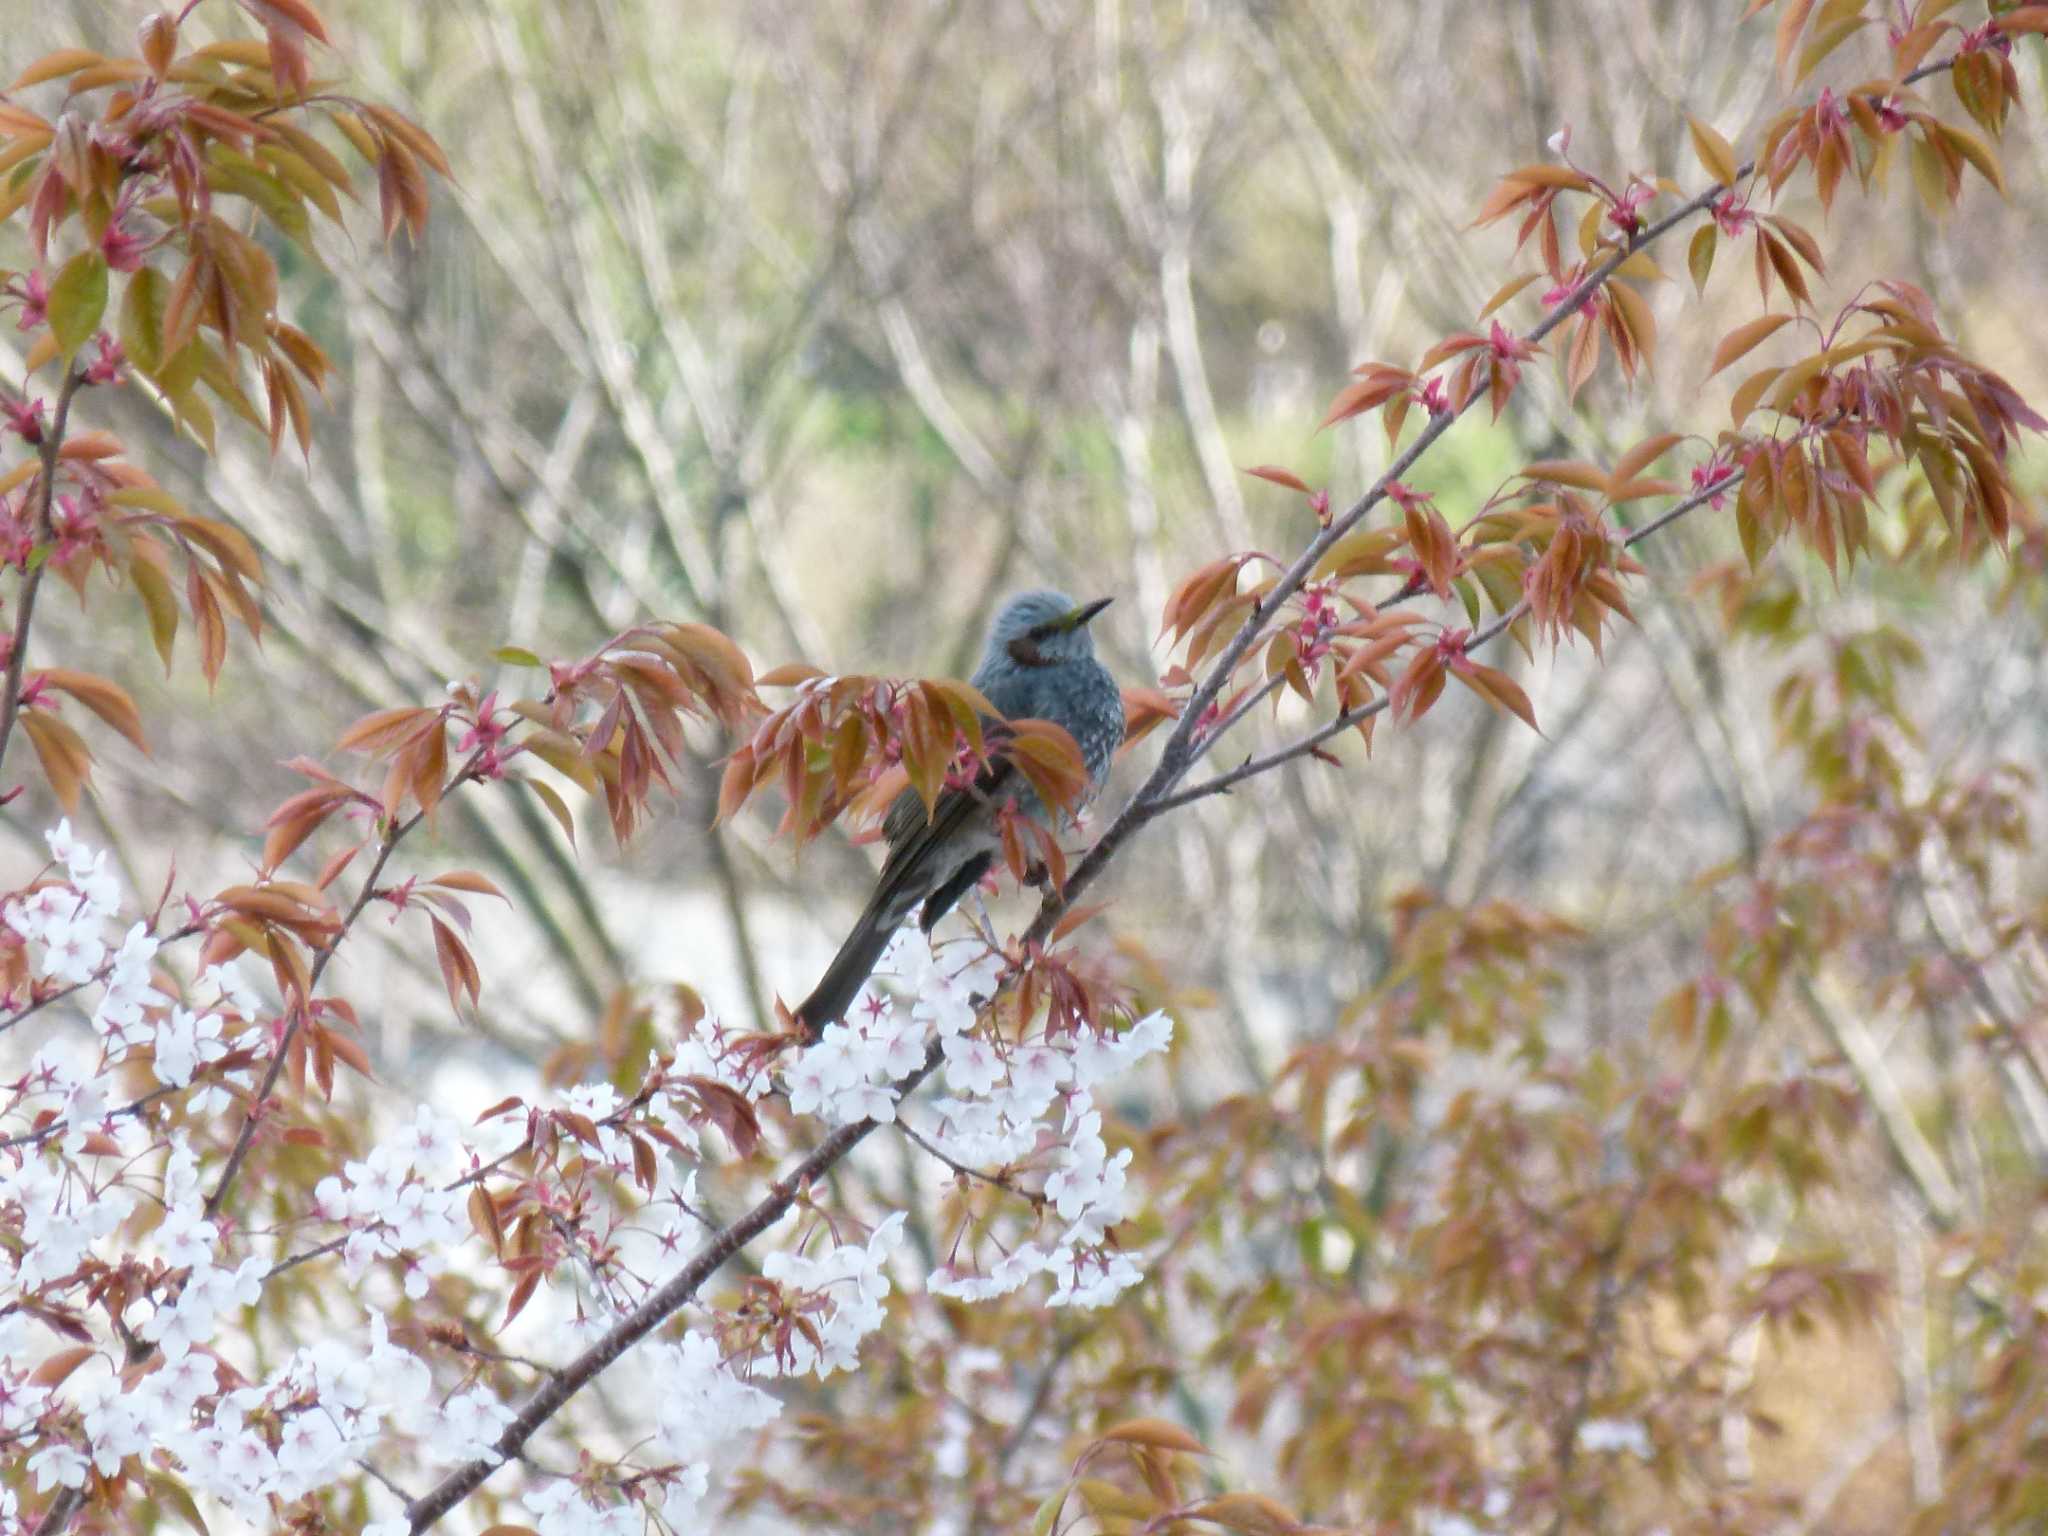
161,1377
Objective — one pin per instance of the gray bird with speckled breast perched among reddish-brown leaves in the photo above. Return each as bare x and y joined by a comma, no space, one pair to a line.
1041,665
